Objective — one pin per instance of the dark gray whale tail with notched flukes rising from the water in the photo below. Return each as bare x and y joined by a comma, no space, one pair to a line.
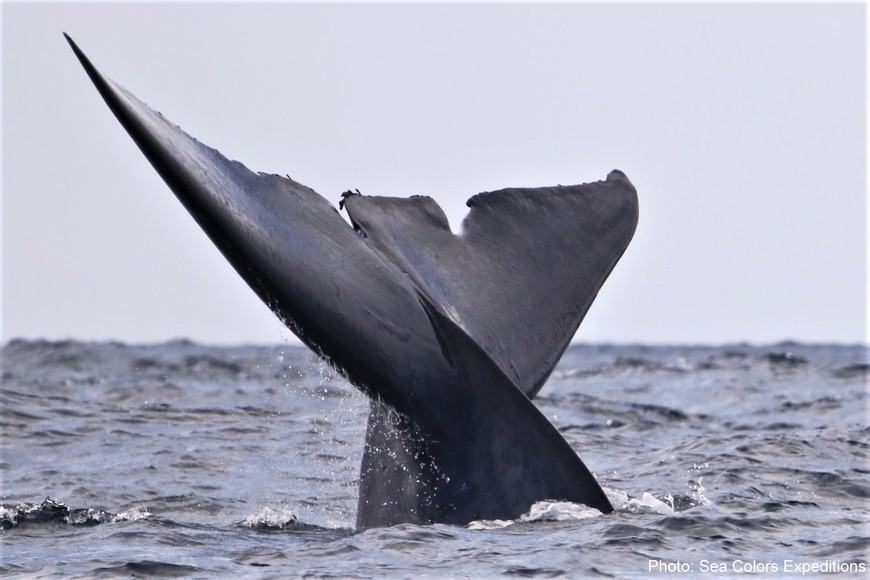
450,336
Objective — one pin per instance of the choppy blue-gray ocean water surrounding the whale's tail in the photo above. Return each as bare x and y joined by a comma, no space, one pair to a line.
179,459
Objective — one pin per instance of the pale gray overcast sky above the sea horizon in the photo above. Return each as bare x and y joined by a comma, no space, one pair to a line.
743,127
